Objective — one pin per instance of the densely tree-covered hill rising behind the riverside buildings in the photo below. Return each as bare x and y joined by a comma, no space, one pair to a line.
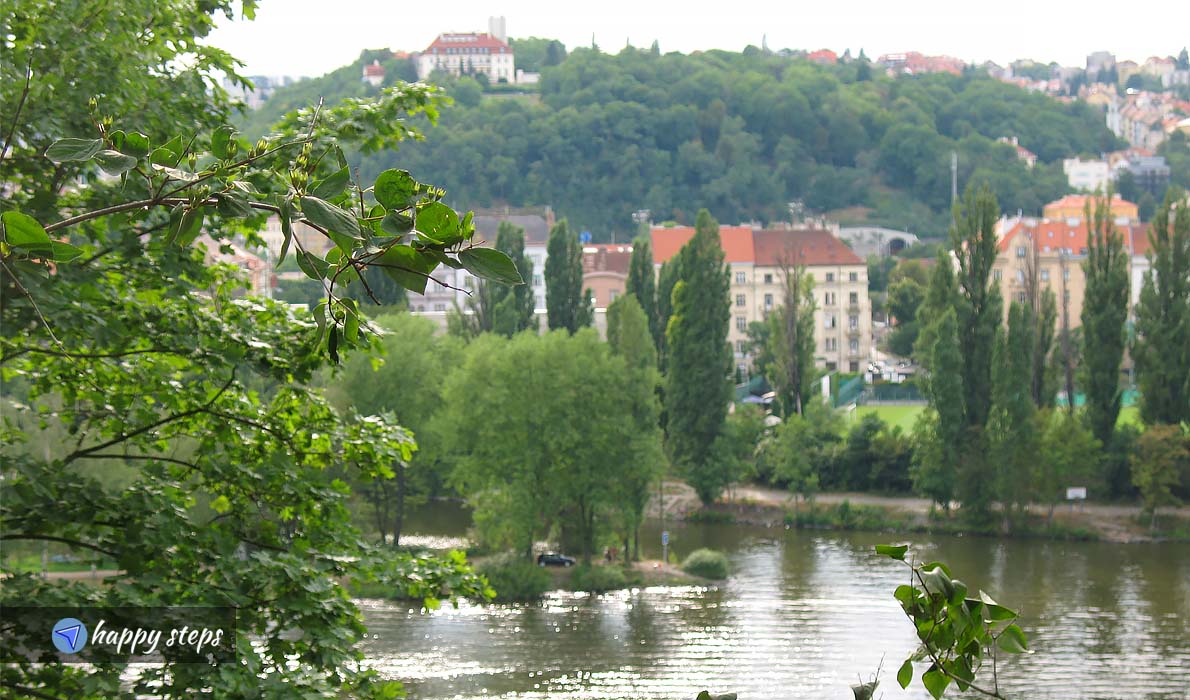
740,134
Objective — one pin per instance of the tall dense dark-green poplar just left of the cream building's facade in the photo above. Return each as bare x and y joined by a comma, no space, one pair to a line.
698,391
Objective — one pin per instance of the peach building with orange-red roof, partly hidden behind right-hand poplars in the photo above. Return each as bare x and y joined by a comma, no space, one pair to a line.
1061,248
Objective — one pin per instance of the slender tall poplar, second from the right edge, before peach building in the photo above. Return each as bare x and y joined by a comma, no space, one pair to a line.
1105,311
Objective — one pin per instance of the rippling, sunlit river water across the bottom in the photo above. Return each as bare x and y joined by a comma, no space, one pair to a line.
804,615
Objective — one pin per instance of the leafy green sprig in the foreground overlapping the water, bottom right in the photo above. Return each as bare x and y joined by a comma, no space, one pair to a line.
959,634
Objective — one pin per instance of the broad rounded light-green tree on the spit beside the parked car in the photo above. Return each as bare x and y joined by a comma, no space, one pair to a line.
547,437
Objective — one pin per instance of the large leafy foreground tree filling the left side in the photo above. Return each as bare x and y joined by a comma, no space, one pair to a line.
122,334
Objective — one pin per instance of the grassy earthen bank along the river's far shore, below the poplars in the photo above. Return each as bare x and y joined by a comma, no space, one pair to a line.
754,505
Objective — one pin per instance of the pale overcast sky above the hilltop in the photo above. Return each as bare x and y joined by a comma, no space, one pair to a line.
311,37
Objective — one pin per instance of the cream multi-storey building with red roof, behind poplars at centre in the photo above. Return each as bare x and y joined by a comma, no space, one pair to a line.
759,260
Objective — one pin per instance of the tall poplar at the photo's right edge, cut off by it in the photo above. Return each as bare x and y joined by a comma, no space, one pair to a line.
1163,320
